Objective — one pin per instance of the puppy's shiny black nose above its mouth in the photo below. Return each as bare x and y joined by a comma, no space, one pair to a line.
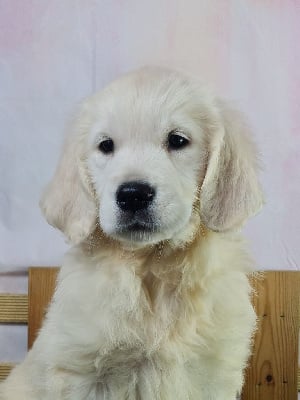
134,196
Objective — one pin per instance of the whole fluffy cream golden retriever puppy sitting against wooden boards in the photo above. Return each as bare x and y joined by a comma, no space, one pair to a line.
155,180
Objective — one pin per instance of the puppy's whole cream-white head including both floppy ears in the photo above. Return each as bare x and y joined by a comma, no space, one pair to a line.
149,157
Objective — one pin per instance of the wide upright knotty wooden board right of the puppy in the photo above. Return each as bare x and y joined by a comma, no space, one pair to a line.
272,374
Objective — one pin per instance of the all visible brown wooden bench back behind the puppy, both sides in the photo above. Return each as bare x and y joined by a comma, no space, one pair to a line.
273,369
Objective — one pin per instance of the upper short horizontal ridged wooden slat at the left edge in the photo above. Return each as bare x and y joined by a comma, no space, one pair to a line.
13,308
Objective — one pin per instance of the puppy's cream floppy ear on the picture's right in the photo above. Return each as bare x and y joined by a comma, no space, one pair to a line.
230,191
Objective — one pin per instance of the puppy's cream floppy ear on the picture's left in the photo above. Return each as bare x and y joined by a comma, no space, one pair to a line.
68,202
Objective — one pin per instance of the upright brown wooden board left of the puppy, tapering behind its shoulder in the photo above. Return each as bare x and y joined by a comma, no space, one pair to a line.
41,285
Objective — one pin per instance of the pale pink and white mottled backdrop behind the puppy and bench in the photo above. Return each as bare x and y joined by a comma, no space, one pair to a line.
53,53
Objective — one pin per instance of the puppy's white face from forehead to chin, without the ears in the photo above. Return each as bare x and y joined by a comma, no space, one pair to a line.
146,158
